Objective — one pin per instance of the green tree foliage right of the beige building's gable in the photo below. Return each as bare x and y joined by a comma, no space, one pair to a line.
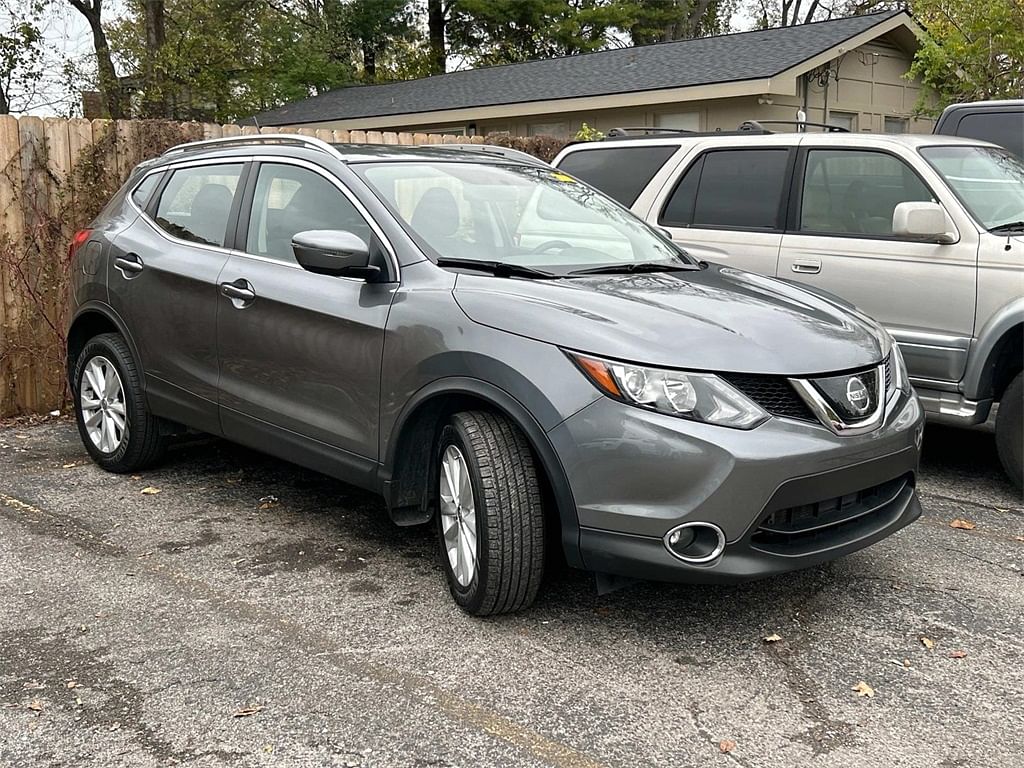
973,50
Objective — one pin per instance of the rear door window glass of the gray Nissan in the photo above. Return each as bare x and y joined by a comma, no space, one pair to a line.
197,202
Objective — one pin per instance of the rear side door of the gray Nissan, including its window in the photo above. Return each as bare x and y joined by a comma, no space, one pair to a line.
163,283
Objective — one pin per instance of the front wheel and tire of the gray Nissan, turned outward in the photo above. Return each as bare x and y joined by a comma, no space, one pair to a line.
508,516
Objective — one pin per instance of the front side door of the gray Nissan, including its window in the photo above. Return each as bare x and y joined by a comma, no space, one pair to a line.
301,354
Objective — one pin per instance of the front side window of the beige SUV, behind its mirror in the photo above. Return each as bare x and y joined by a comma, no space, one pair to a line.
856,192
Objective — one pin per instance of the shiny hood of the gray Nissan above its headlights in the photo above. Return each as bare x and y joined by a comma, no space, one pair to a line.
718,319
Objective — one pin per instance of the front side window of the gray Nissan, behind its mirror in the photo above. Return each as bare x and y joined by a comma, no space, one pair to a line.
290,200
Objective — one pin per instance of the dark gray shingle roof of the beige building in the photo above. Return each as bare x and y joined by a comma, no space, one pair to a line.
745,56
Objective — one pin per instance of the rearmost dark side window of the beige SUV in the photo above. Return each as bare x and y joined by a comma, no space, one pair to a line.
621,174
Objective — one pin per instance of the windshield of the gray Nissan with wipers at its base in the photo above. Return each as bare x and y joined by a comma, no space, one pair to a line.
521,216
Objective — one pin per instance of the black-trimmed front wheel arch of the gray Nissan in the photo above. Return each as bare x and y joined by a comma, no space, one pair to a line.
405,485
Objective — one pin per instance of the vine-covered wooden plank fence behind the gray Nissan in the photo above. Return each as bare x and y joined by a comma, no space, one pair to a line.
56,176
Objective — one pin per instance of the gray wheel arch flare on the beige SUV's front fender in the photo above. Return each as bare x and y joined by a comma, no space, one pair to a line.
998,356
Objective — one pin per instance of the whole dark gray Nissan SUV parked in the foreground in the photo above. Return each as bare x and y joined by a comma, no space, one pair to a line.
494,347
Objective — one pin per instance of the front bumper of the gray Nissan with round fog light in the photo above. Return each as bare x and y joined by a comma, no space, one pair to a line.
636,475
